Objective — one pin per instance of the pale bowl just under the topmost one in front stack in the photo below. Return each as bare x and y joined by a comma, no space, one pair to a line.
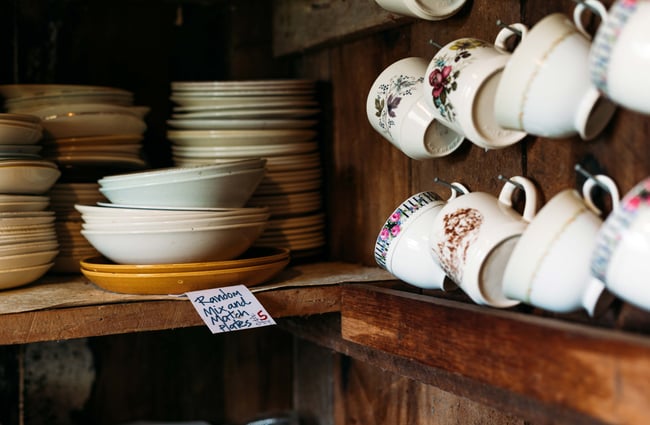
226,190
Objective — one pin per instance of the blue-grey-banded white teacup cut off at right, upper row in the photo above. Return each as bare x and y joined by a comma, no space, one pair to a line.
619,51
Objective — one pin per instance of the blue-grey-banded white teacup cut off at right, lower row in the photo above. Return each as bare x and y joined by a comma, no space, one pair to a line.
620,258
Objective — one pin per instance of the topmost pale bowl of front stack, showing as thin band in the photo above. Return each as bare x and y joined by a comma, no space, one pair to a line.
172,174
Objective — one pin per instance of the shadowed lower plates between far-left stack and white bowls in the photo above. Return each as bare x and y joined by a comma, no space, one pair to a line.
73,247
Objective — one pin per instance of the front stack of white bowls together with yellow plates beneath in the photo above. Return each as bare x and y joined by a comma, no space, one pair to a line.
195,216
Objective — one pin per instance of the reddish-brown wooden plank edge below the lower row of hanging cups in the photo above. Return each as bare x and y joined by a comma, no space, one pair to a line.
601,374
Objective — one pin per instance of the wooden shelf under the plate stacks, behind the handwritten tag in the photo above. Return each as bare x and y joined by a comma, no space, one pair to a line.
66,307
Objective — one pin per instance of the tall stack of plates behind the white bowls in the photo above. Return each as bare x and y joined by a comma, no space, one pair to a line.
215,121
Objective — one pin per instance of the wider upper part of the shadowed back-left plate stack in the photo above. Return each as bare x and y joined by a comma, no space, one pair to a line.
89,131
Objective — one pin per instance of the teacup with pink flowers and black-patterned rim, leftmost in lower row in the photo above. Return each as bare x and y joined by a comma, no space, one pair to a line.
402,245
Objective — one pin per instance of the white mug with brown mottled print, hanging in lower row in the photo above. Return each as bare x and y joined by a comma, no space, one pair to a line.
473,235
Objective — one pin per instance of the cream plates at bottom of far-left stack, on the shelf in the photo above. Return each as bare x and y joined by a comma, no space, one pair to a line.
28,246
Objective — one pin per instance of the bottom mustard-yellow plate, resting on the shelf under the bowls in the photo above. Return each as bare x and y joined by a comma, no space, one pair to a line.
180,282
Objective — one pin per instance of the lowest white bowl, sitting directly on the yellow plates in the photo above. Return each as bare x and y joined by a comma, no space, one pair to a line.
186,245
